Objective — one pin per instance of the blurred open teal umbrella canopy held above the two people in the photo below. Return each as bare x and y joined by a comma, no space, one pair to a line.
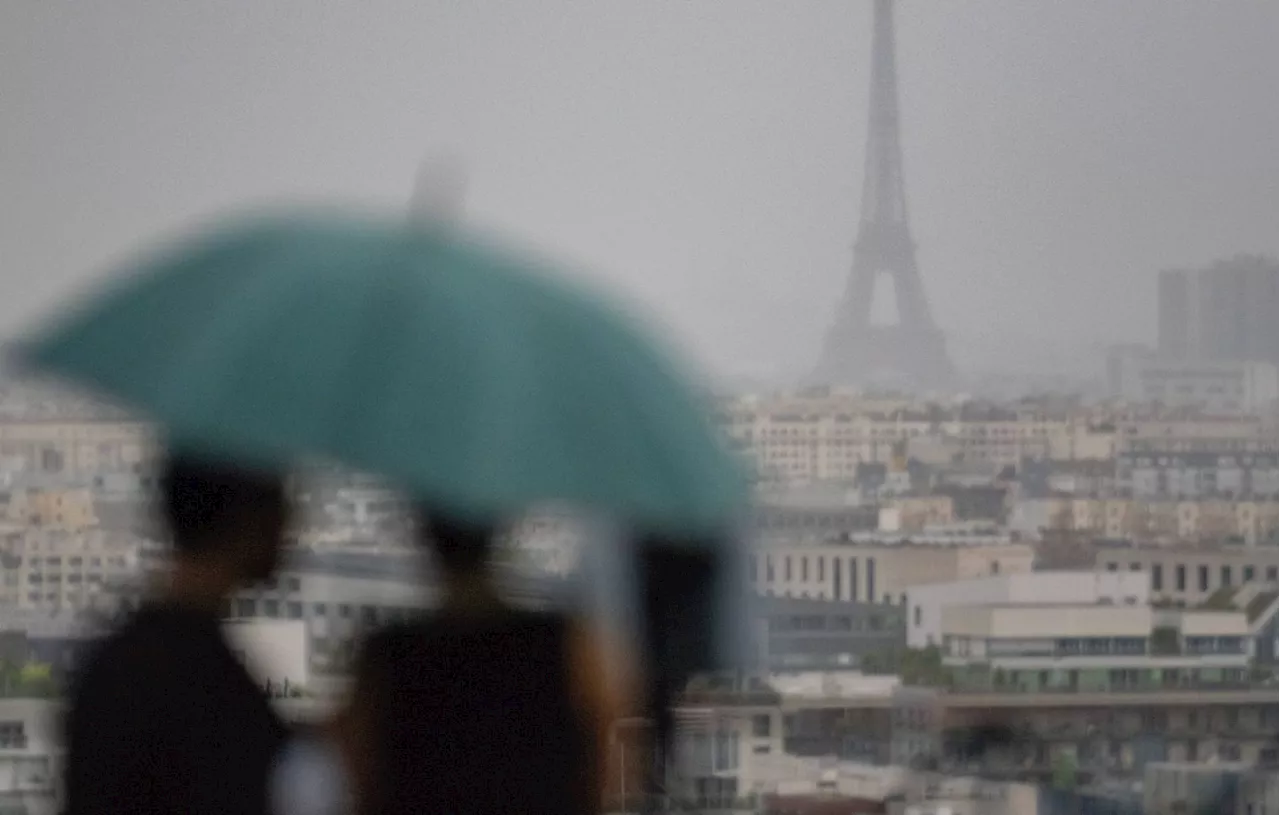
464,372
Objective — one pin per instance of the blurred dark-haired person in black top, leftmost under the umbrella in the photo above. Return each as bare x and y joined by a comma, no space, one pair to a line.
164,718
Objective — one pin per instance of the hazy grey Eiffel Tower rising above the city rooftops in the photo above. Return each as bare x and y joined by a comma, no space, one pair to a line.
858,352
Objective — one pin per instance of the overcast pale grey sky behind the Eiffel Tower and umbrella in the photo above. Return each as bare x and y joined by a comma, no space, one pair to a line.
702,157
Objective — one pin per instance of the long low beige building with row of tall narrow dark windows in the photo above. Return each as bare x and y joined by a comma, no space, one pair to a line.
868,573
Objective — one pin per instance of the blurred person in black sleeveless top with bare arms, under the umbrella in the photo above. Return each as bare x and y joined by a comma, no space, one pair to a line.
479,708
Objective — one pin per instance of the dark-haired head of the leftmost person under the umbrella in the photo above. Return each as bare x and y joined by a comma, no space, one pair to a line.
225,516
